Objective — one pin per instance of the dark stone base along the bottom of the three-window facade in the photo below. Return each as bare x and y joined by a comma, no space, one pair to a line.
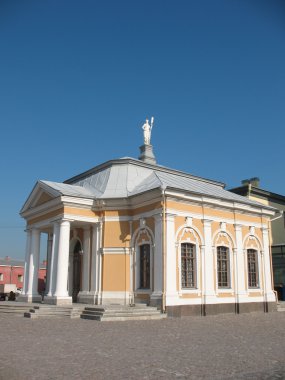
214,309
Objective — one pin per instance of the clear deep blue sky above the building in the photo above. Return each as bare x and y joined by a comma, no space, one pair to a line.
78,79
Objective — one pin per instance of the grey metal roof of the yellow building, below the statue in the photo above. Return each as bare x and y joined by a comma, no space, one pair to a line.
128,177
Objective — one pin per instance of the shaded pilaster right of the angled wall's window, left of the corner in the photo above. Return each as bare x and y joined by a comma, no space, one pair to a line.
157,261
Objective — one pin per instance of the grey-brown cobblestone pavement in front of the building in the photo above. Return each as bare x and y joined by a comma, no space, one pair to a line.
248,346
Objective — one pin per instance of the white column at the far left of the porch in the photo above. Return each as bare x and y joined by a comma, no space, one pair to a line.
32,289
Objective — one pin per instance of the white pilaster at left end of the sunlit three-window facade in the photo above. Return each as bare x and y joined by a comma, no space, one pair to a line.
171,287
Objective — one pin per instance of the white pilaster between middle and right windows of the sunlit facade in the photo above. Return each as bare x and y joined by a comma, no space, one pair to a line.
240,268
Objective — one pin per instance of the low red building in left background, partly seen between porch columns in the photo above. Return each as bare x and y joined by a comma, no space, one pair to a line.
12,272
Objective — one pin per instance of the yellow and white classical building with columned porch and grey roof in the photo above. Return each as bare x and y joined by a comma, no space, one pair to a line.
132,231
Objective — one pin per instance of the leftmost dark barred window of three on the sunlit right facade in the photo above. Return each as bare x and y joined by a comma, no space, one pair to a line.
188,266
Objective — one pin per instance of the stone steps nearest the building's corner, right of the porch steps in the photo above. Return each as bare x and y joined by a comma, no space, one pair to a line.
121,313
